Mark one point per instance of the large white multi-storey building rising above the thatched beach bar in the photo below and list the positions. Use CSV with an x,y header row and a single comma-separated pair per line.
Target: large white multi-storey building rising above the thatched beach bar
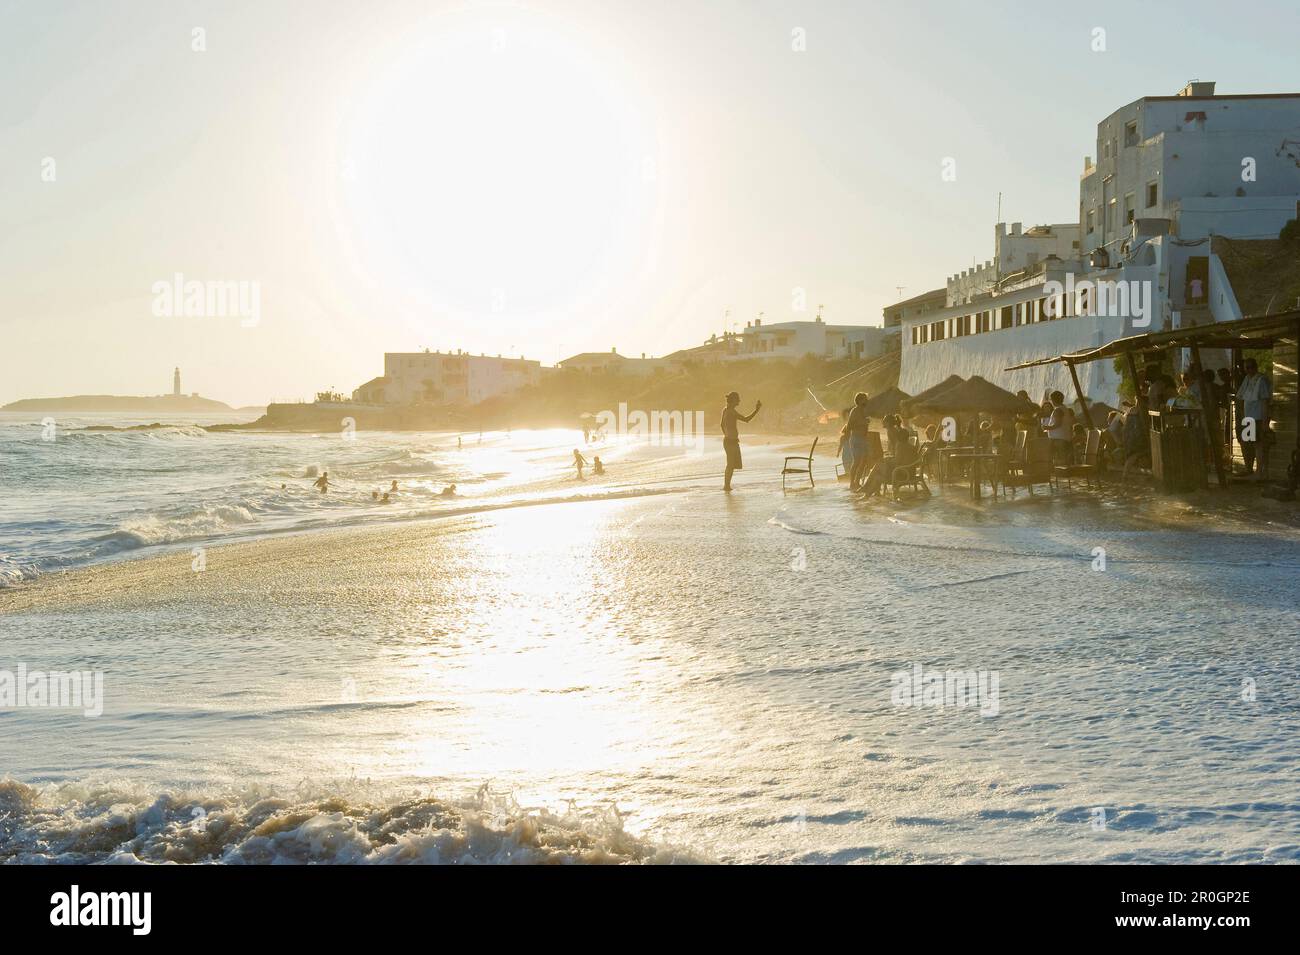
x,y
1145,220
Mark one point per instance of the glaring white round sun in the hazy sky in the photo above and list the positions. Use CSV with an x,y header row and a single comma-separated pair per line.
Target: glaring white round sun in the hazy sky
x,y
497,173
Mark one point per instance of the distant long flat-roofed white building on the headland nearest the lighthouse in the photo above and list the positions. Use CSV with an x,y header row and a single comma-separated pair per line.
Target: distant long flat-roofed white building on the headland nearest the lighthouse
x,y
447,379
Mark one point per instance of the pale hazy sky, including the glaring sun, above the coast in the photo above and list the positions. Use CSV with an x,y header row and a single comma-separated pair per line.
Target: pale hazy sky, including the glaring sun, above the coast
x,y
534,179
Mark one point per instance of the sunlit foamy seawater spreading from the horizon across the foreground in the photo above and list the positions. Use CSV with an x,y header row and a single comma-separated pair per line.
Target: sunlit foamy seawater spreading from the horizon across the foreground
x,y
630,668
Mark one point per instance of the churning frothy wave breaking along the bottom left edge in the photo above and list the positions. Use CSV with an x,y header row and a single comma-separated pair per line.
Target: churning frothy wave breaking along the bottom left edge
x,y
85,824
